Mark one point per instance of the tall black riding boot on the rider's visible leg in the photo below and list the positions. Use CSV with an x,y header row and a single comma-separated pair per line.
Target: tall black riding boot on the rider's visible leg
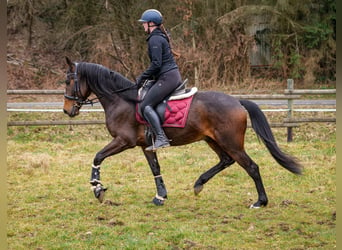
x,y
161,141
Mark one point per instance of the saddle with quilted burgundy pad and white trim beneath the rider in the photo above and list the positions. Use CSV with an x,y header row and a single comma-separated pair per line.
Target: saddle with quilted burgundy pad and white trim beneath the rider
x,y
179,100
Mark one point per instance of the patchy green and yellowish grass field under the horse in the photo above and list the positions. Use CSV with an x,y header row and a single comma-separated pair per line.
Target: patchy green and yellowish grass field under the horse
x,y
51,206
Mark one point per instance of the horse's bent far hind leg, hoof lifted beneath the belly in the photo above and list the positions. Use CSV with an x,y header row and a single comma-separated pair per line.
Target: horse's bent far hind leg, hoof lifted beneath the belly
x,y
225,161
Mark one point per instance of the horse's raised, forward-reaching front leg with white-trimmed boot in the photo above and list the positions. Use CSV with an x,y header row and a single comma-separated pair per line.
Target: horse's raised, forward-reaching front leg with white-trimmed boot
x,y
117,145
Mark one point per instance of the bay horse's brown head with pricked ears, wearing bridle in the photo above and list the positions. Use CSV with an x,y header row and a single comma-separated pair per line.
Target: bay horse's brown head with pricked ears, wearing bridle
x,y
76,90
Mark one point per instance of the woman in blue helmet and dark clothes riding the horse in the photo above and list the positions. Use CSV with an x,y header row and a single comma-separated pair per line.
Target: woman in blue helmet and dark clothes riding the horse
x,y
163,69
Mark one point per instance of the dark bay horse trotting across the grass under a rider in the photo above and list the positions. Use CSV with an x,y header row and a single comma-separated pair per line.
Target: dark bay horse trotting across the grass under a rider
x,y
217,118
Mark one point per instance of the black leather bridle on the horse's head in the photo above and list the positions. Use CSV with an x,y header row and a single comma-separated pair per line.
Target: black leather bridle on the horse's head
x,y
77,94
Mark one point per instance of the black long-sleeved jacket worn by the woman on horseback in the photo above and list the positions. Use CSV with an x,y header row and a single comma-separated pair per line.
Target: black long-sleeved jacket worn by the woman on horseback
x,y
160,55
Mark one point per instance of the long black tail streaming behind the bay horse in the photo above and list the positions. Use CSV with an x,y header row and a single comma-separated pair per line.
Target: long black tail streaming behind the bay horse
x,y
263,130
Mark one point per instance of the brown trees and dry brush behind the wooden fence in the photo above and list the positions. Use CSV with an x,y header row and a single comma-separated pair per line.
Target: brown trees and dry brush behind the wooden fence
x,y
211,35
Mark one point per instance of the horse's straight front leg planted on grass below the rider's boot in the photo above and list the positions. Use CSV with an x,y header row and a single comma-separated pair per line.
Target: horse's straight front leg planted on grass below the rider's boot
x,y
161,195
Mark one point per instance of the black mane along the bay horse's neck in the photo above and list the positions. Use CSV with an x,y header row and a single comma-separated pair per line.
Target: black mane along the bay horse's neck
x,y
105,82
